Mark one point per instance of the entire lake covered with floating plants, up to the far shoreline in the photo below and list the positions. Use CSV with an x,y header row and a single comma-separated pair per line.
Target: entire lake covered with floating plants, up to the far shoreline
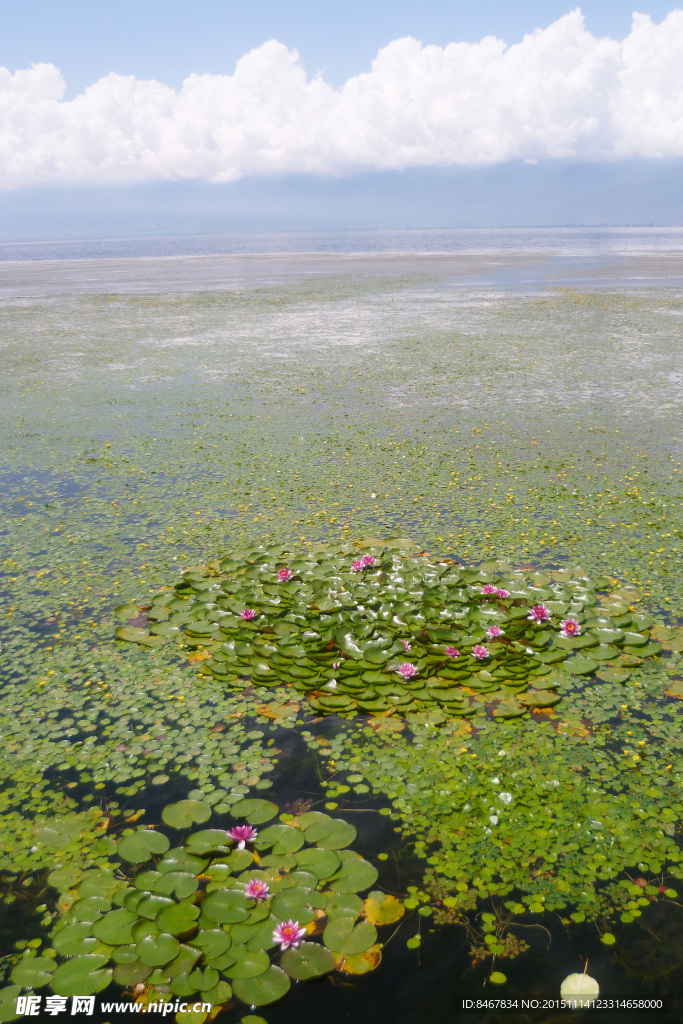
x,y
186,418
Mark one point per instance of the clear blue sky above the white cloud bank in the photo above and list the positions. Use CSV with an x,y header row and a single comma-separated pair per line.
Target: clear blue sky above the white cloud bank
x,y
170,39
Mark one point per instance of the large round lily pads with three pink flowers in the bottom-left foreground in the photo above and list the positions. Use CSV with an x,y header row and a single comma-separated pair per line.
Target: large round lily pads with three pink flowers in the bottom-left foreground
x,y
204,919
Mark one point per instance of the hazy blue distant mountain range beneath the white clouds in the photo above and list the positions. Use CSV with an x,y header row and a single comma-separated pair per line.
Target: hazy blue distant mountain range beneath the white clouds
x,y
551,194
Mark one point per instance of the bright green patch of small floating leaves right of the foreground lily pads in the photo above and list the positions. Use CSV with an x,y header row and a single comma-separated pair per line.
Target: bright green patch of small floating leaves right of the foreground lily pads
x,y
567,816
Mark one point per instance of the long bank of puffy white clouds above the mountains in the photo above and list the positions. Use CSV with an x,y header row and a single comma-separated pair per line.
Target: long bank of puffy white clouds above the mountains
x,y
560,94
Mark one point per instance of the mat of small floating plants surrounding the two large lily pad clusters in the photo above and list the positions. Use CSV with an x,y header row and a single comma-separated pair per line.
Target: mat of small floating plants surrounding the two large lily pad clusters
x,y
146,436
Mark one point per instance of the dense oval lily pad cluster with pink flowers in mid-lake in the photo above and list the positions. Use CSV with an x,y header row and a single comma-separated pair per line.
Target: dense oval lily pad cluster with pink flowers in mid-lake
x,y
380,627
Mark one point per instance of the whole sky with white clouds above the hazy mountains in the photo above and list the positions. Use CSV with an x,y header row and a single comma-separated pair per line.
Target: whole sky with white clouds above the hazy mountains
x,y
123,93
